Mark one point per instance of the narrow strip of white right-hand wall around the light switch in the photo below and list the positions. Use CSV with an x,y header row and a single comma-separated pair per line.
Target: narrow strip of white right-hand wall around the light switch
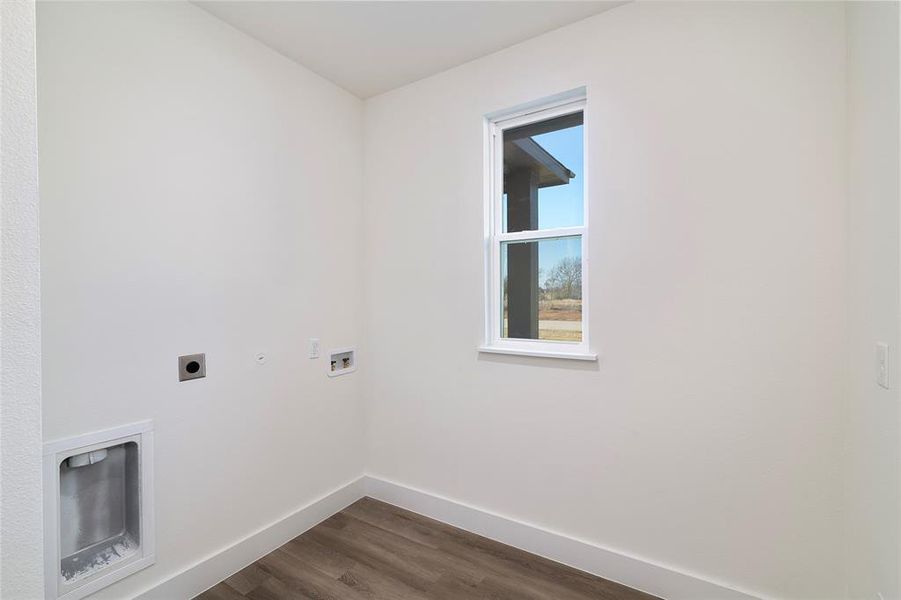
x,y
873,416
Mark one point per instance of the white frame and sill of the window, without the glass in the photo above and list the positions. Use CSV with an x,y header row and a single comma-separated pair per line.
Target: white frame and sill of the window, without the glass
x,y
495,236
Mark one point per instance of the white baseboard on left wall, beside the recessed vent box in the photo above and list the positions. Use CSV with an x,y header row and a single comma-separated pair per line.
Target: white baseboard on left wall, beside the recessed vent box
x,y
209,571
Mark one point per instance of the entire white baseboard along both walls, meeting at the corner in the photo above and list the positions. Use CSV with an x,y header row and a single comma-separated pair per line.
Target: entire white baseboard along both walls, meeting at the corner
x,y
629,570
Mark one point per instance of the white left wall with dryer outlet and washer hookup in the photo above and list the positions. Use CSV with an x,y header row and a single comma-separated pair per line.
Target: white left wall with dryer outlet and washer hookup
x,y
200,193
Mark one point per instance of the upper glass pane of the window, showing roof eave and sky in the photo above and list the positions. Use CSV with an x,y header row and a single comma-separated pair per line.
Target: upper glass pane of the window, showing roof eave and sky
x,y
543,175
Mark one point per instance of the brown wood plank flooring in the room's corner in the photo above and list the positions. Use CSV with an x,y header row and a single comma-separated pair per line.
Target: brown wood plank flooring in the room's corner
x,y
376,551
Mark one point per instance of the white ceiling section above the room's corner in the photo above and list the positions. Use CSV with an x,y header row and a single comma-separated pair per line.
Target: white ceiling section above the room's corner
x,y
374,46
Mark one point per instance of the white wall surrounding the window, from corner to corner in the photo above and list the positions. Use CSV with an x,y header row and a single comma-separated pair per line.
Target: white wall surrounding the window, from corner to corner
x,y
708,437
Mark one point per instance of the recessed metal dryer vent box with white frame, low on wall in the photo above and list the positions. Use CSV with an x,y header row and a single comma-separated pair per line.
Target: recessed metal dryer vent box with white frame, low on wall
x,y
98,509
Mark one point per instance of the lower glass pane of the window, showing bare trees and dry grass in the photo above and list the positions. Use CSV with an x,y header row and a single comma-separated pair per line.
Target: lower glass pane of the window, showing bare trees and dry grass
x,y
541,289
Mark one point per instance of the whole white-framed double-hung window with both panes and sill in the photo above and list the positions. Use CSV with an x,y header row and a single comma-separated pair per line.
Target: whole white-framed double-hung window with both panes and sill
x,y
536,233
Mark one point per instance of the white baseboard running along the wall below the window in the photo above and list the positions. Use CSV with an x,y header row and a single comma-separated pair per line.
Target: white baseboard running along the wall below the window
x,y
616,566
